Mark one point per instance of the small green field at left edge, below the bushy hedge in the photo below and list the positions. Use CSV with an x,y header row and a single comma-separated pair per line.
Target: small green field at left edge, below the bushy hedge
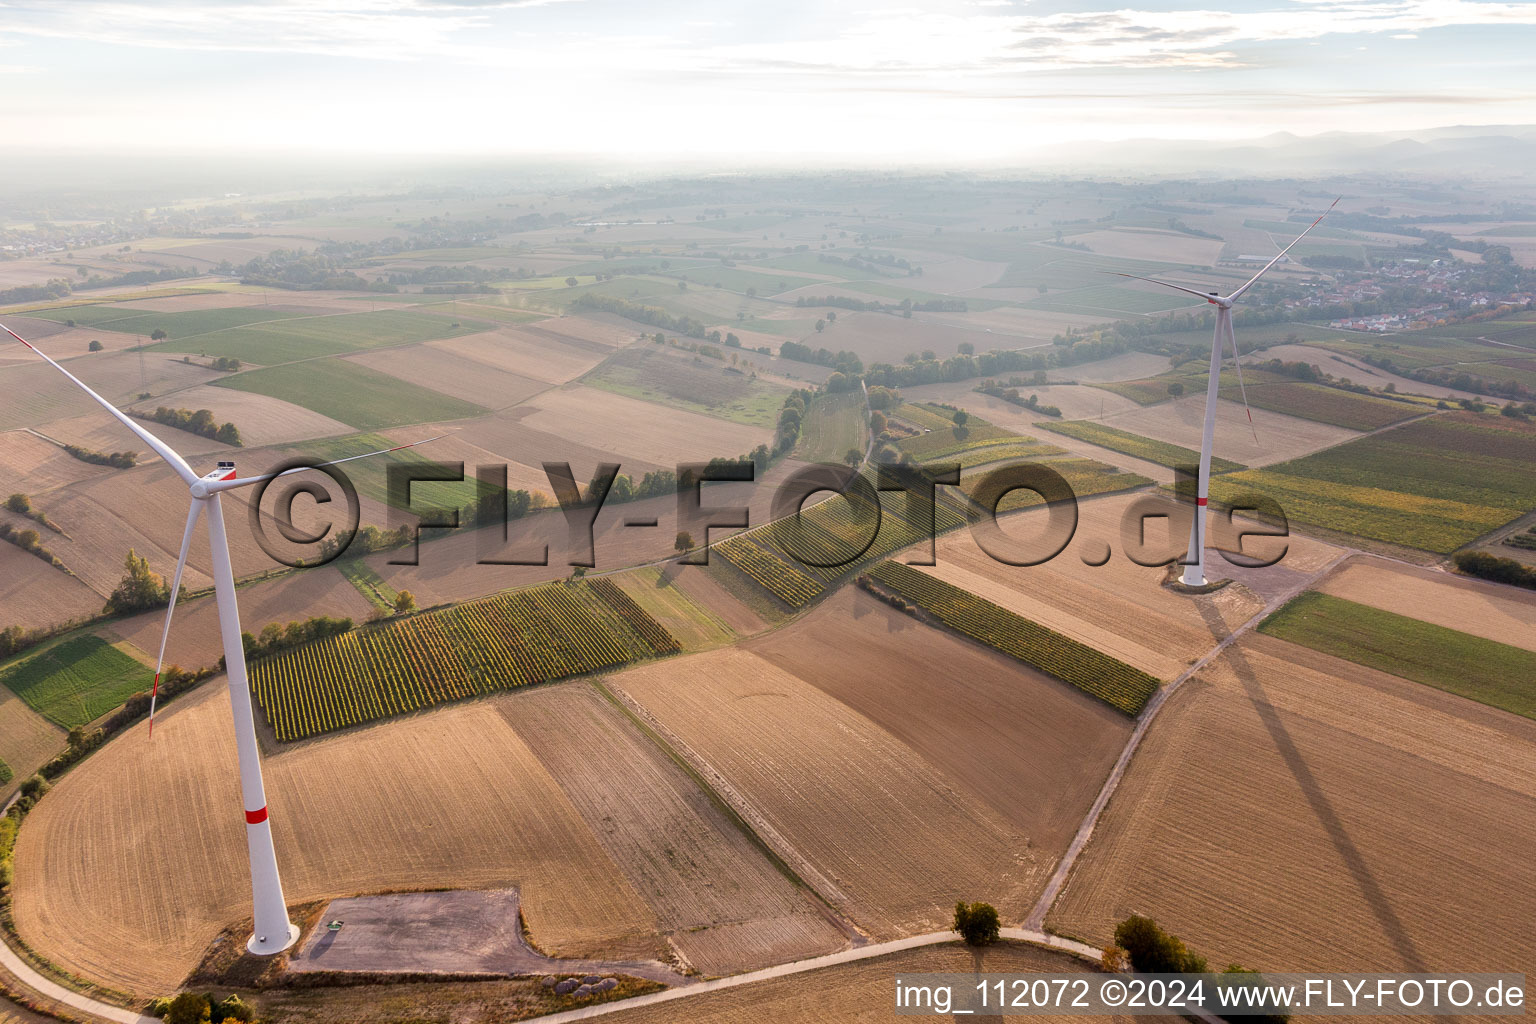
x,y
76,681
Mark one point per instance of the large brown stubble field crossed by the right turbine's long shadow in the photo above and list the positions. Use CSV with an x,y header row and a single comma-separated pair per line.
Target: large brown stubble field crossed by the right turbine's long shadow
x,y
1406,813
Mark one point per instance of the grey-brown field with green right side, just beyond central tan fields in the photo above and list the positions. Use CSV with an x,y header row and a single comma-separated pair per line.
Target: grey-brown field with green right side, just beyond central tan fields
x,y
694,383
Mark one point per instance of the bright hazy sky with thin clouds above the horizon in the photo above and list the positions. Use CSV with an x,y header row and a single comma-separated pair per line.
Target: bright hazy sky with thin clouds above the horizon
x,y
944,81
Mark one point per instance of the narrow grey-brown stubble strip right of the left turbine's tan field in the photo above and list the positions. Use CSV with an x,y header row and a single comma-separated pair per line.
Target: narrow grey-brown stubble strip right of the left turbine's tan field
x,y
717,897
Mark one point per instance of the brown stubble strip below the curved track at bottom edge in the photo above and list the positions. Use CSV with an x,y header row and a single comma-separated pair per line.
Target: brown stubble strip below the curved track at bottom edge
x,y
855,993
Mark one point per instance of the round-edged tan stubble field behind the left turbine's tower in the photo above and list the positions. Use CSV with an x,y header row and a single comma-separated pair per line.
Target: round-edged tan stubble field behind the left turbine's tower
x,y
449,801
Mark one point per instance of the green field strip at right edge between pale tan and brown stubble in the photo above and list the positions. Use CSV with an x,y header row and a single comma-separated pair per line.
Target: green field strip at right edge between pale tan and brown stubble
x,y
1457,662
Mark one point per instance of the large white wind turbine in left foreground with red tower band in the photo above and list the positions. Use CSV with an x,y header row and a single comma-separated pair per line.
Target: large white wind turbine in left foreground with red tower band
x,y
274,933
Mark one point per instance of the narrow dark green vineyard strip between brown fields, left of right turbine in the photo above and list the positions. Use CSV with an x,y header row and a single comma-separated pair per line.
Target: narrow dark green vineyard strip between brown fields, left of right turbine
x,y
1076,664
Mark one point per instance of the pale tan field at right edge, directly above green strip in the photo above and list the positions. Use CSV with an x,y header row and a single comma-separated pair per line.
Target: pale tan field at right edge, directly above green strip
x,y
1495,613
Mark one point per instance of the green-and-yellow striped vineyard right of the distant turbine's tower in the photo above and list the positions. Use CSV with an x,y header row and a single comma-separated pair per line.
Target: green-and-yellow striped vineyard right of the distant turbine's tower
x,y
1432,484
